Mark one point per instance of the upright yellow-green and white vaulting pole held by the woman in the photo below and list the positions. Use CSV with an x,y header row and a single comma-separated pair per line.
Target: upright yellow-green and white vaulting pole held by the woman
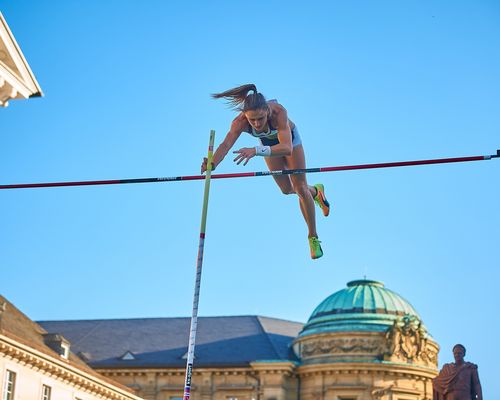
x,y
199,264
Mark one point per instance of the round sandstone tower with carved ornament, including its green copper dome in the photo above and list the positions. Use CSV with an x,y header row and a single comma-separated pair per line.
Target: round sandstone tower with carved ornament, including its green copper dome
x,y
365,342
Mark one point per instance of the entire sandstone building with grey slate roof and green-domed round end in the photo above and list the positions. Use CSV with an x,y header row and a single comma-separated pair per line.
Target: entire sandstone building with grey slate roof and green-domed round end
x,y
364,342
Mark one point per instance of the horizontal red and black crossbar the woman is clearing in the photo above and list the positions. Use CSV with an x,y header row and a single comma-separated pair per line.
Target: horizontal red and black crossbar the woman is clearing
x,y
250,174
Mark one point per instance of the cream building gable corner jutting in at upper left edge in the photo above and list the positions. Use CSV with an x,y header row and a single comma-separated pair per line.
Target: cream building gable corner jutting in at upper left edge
x,y
17,81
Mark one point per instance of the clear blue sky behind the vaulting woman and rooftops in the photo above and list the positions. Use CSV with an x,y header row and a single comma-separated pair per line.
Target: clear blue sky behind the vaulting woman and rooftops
x,y
127,87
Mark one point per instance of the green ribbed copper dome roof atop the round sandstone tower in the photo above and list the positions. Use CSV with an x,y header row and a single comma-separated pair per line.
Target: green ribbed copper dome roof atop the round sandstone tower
x,y
364,305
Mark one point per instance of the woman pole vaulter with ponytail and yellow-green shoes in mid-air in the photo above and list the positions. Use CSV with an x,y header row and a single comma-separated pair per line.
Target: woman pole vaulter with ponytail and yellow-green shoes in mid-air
x,y
281,148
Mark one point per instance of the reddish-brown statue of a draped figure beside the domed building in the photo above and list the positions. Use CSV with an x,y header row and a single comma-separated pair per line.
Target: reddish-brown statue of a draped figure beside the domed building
x,y
458,380
